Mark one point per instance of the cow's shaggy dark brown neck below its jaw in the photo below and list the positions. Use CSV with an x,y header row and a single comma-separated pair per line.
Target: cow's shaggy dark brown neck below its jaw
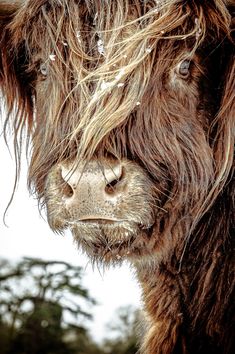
x,y
181,305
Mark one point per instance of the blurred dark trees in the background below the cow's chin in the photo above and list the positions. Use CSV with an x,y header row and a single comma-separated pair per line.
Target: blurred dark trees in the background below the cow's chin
x,y
44,309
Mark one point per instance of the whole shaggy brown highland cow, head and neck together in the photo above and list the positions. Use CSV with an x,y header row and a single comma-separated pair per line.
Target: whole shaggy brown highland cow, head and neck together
x,y
129,106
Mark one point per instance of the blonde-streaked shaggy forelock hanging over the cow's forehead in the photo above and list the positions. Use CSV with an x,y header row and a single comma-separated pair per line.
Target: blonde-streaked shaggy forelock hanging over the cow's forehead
x,y
110,47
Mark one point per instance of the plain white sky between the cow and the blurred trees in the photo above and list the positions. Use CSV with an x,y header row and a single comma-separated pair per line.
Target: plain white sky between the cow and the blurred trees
x,y
29,235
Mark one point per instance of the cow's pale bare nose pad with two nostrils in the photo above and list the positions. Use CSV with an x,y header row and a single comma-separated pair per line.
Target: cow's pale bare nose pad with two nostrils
x,y
92,181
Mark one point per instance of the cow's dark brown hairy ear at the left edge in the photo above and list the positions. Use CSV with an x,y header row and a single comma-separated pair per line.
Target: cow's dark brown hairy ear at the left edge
x,y
13,77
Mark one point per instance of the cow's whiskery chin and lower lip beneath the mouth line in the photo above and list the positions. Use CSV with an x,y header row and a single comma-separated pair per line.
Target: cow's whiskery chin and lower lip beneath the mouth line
x,y
111,242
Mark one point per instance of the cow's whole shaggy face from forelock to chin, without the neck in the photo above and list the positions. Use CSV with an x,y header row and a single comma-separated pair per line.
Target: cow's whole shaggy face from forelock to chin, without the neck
x,y
120,100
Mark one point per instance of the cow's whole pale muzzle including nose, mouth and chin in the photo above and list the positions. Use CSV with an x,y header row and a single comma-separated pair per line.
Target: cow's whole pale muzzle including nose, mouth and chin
x,y
108,205
